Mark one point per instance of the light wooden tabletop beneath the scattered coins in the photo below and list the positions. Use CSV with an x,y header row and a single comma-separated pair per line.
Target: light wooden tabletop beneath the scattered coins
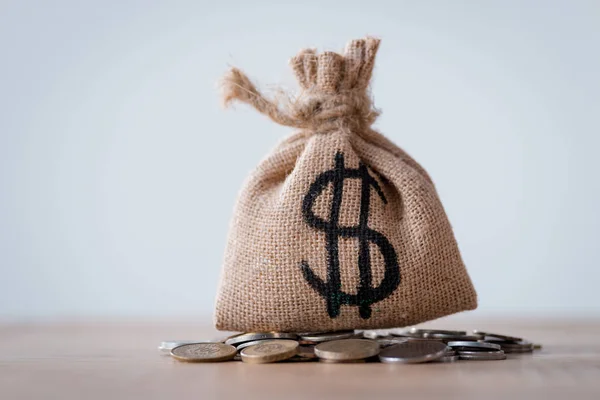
x,y
119,360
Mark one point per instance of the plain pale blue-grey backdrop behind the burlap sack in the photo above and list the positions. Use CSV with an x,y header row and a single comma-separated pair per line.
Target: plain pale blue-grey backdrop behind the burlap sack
x,y
119,169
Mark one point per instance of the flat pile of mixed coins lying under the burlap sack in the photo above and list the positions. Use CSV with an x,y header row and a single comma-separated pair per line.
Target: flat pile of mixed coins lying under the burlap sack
x,y
387,346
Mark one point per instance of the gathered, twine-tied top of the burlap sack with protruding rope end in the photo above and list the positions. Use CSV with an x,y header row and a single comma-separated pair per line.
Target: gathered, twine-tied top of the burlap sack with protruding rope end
x,y
335,94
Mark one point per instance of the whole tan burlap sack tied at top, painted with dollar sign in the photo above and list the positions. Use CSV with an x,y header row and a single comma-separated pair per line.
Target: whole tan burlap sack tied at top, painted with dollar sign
x,y
337,228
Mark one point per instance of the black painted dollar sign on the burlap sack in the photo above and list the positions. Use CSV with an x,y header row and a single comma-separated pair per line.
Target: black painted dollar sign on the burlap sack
x,y
331,290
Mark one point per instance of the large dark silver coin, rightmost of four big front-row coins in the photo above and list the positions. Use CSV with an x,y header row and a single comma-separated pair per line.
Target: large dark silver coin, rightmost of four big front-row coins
x,y
411,352
